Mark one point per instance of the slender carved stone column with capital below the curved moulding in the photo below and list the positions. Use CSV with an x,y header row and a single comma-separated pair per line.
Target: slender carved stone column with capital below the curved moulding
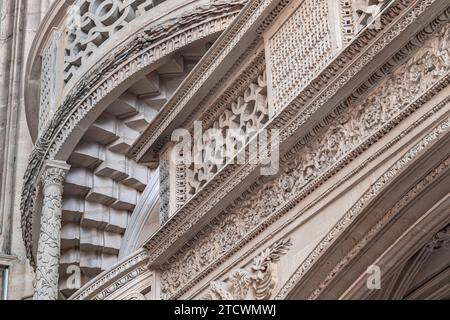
x,y
48,254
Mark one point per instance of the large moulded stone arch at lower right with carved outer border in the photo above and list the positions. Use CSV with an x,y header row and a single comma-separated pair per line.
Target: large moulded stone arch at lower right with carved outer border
x,y
393,219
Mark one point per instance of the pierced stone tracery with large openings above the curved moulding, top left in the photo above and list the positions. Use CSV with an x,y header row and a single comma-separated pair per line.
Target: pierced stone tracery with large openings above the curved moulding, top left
x,y
90,23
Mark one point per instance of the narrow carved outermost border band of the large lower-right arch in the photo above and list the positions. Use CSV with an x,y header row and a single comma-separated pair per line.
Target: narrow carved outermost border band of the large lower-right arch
x,y
421,147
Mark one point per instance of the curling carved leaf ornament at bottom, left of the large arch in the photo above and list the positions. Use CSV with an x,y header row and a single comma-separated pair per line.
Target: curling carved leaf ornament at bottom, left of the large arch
x,y
261,279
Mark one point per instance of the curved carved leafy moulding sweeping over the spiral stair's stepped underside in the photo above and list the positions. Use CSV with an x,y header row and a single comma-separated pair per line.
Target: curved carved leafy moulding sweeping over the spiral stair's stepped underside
x,y
137,53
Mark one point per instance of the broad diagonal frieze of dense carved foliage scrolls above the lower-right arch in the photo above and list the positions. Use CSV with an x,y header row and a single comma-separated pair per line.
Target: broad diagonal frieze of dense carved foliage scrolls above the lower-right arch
x,y
345,133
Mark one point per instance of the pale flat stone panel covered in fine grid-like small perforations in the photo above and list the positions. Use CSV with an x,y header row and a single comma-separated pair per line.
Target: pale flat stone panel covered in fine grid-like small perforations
x,y
299,50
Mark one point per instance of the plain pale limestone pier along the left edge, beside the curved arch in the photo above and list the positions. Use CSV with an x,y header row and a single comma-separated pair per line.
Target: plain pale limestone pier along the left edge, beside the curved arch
x,y
19,21
